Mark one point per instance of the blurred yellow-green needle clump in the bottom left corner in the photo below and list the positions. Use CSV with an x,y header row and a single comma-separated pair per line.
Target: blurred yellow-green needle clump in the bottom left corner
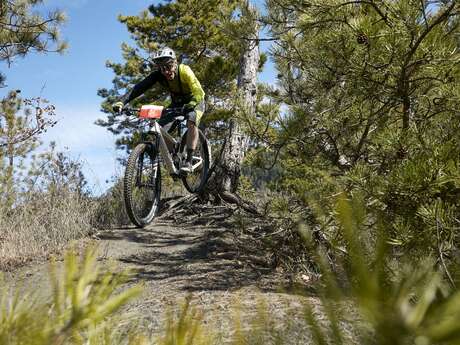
x,y
84,299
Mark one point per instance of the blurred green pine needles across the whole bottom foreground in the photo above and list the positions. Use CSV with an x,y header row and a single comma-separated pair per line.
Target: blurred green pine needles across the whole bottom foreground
x,y
376,298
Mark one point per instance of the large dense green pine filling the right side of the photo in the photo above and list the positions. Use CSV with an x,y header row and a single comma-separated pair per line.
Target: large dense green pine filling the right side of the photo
x,y
372,96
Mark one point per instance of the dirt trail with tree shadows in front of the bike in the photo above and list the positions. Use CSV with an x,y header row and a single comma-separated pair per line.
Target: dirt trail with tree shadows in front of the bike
x,y
174,260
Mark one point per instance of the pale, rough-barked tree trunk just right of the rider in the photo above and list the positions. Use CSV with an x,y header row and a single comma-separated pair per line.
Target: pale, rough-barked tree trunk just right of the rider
x,y
228,169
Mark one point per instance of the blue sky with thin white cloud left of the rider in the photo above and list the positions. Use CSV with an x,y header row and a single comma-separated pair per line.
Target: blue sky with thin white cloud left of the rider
x,y
70,81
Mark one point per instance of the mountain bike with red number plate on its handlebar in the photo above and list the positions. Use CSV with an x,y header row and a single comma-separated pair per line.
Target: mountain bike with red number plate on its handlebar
x,y
142,180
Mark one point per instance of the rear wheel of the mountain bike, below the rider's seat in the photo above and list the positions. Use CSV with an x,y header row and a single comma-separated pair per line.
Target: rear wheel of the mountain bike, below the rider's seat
x,y
196,180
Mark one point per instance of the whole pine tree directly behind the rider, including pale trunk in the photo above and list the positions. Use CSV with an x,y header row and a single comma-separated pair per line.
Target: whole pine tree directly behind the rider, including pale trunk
x,y
226,64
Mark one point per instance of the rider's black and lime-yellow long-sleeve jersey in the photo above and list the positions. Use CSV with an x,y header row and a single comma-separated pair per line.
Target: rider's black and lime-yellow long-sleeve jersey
x,y
185,88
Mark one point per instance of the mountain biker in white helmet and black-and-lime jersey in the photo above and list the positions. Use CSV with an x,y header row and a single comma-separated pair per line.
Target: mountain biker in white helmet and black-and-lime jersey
x,y
185,91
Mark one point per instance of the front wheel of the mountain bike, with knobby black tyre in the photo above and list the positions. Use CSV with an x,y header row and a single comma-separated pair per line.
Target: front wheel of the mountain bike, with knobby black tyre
x,y
142,184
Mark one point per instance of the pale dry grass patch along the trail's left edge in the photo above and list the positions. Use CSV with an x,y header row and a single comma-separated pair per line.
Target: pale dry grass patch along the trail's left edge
x,y
44,224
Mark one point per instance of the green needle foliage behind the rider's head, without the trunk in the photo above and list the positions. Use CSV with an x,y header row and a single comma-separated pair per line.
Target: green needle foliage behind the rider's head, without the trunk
x,y
195,30
